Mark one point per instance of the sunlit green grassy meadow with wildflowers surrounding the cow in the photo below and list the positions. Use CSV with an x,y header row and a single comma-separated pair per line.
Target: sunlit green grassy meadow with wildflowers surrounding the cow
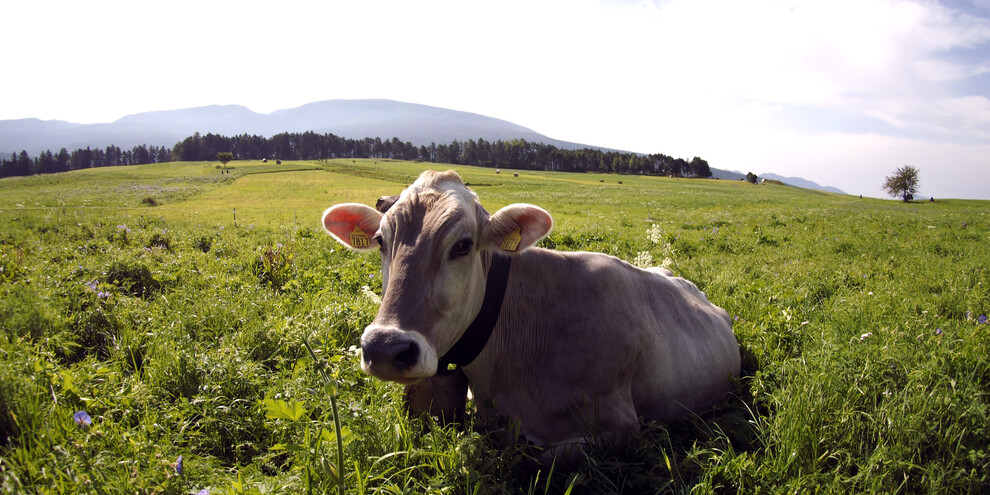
x,y
173,329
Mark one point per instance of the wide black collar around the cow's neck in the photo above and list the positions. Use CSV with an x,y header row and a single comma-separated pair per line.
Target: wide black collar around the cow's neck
x,y
467,348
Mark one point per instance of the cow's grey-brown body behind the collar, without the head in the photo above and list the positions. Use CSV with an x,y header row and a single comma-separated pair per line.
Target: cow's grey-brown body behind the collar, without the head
x,y
590,327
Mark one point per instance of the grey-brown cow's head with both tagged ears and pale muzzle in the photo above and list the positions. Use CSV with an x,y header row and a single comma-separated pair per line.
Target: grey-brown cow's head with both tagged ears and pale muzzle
x,y
436,243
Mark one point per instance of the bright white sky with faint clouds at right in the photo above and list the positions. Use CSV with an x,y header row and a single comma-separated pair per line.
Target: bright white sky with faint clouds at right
x,y
835,91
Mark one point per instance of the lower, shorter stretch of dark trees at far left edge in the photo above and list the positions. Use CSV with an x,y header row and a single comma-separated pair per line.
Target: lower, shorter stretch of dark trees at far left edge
x,y
46,162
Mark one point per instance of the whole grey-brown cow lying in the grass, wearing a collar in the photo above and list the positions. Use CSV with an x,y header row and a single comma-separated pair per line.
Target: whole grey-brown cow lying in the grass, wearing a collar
x,y
562,343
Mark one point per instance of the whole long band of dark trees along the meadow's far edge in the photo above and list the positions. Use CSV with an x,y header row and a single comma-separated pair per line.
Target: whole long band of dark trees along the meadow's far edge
x,y
509,154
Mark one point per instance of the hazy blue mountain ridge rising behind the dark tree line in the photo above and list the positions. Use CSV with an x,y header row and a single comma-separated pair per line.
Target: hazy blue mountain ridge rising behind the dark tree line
x,y
354,119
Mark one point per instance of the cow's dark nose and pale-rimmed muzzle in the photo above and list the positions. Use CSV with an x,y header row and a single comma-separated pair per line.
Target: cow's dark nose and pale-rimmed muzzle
x,y
397,355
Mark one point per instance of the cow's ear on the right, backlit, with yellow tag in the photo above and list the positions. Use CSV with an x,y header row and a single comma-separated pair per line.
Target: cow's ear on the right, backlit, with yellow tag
x,y
517,227
